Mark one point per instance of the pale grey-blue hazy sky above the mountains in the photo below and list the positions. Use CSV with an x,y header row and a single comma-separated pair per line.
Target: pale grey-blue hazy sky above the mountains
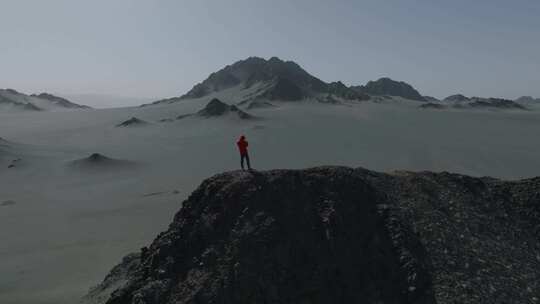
x,y
162,48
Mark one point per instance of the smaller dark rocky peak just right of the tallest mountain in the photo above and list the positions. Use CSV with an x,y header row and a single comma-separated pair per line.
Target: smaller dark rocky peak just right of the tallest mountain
x,y
387,86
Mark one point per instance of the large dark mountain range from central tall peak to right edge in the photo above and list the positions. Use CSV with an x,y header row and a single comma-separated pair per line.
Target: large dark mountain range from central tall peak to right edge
x,y
254,79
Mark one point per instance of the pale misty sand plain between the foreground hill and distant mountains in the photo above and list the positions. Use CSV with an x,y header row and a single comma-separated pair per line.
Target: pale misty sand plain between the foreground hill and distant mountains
x,y
68,227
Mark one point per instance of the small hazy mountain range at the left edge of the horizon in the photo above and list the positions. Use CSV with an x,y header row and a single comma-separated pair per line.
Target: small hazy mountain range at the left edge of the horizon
x,y
11,100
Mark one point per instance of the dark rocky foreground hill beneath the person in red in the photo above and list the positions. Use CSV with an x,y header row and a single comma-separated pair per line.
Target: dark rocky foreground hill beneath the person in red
x,y
341,235
